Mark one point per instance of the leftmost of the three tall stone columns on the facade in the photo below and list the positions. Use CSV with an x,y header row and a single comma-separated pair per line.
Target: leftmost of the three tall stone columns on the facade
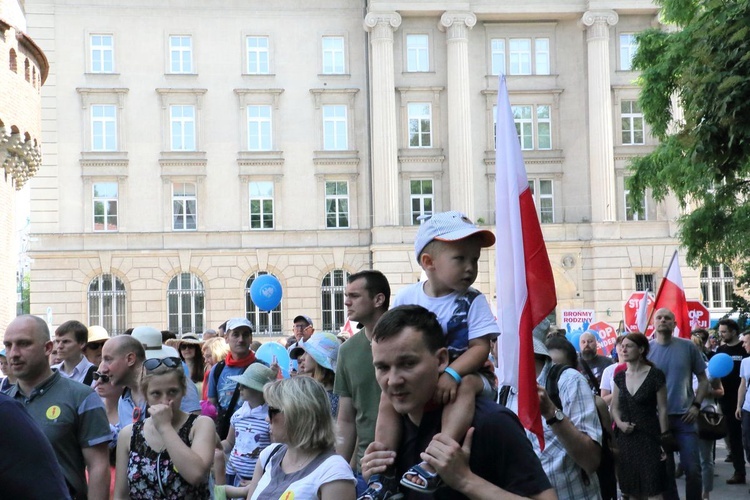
x,y
385,189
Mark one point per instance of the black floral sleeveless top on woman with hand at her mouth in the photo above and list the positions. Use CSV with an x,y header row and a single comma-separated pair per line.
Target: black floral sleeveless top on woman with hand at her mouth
x,y
152,475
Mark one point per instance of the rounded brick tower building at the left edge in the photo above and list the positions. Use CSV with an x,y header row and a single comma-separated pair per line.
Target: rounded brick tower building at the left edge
x,y
23,71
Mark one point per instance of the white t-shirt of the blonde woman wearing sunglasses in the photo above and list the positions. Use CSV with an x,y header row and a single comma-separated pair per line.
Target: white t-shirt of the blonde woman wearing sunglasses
x,y
302,484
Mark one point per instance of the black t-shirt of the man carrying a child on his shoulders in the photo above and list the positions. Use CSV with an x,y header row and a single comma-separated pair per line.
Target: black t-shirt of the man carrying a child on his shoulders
x,y
500,452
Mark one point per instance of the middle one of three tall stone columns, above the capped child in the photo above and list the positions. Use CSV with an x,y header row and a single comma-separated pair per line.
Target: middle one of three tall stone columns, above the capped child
x,y
456,26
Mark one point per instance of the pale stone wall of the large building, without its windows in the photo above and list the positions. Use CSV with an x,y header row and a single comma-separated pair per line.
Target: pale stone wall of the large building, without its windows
x,y
594,258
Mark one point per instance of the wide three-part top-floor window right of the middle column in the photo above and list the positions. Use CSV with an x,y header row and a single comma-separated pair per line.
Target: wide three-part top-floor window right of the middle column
x,y
520,56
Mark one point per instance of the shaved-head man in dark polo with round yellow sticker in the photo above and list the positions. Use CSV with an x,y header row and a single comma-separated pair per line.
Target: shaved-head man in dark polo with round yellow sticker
x,y
69,413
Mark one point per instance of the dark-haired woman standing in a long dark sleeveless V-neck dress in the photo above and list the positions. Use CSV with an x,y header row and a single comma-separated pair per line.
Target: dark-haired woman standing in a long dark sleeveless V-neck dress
x,y
639,408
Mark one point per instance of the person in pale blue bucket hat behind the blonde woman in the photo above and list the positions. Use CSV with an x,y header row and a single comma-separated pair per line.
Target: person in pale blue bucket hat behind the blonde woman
x,y
317,359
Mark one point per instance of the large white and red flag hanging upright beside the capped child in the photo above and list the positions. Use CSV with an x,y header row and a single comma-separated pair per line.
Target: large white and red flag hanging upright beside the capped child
x,y
525,285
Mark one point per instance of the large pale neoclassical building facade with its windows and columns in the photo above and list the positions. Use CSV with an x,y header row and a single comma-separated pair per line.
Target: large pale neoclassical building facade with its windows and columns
x,y
196,148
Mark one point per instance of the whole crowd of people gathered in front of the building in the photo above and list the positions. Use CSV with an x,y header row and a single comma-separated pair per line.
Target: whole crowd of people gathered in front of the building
x,y
408,407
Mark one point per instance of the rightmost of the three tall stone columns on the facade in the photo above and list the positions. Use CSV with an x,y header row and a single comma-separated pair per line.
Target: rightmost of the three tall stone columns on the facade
x,y
601,125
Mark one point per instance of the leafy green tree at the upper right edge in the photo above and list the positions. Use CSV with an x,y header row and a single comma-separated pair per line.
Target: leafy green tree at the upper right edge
x,y
701,62
